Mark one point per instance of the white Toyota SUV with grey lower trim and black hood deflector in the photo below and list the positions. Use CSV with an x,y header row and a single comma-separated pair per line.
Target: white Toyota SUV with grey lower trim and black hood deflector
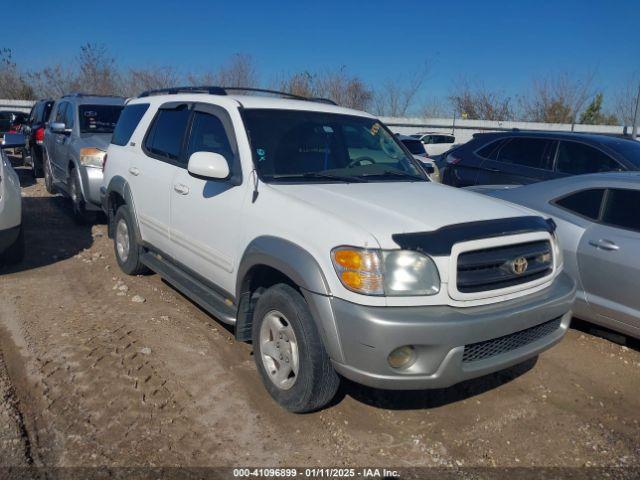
x,y
313,230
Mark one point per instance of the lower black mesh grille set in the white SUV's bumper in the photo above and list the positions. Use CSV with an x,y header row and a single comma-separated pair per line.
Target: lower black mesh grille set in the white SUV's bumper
x,y
496,346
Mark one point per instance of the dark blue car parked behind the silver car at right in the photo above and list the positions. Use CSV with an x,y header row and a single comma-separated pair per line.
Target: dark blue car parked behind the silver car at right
x,y
518,158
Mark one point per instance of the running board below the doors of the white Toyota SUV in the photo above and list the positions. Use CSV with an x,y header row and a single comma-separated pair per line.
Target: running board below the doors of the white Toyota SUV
x,y
204,296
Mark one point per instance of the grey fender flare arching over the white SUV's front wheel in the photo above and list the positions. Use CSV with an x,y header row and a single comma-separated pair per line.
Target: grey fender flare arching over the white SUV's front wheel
x,y
303,269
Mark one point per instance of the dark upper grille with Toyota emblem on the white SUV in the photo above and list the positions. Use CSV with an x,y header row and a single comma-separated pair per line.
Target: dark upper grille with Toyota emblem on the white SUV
x,y
493,268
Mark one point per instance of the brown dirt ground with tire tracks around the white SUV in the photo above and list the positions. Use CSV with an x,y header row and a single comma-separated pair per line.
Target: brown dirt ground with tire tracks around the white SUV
x,y
97,368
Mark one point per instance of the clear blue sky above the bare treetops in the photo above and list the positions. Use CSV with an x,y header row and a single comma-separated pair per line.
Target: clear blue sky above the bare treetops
x,y
500,44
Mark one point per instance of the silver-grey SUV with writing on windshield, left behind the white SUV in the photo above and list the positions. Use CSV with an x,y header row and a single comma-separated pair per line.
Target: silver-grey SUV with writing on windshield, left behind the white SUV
x,y
75,144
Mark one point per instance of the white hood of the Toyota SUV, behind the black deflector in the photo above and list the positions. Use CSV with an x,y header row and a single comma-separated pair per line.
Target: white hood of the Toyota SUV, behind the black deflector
x,y
386,208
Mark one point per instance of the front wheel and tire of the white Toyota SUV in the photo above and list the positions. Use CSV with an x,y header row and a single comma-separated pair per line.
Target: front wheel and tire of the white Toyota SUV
x,y
280,312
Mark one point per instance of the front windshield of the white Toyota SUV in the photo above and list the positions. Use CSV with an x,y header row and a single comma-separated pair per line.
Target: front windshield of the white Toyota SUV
x,y
295,146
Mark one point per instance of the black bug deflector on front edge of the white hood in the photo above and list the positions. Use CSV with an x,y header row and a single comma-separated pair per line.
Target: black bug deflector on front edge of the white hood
x,y
439,242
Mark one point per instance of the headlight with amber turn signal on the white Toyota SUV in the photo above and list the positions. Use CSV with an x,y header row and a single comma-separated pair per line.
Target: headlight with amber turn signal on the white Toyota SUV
x,y
386,272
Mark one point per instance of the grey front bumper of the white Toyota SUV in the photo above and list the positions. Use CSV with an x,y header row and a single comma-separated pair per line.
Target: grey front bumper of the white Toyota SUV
x,y
439,334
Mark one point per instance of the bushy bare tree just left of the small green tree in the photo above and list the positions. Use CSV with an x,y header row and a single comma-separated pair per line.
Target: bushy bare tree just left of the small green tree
x,y
558,99
